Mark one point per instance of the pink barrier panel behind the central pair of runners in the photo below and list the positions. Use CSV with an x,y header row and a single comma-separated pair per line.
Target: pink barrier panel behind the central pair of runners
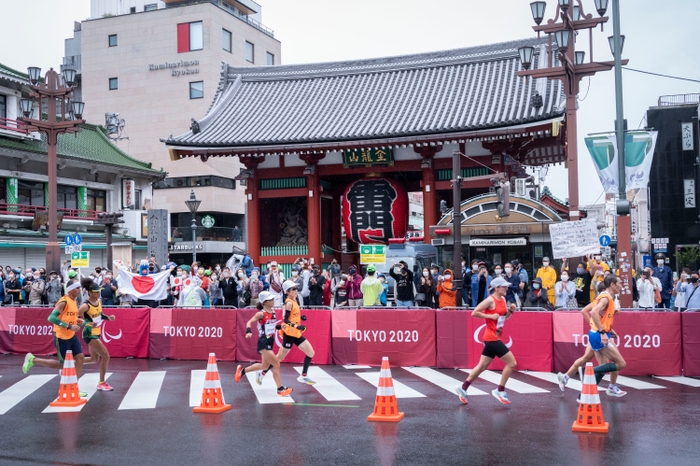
x,y
318,323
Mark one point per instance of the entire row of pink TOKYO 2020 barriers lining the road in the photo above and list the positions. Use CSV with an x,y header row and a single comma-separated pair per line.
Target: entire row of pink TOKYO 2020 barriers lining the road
x,y
652,343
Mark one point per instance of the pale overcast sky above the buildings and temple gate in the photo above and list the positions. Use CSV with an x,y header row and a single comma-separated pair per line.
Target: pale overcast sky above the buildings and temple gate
x,y
660,38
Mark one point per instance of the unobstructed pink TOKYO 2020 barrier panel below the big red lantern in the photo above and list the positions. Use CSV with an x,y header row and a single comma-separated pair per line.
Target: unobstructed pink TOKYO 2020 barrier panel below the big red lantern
x,y
364,336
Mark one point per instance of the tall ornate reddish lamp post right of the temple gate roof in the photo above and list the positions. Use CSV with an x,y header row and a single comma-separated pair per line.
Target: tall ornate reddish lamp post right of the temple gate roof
x,y
570,67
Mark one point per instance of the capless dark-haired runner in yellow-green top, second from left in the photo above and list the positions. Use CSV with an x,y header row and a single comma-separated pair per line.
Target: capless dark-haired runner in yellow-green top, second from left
x,y
91,311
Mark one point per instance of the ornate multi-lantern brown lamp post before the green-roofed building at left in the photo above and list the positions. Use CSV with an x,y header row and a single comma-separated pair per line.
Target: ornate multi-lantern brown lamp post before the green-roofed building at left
x,y
55,92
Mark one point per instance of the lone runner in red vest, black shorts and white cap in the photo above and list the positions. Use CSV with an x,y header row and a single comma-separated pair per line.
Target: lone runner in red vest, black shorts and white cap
x,y
496,311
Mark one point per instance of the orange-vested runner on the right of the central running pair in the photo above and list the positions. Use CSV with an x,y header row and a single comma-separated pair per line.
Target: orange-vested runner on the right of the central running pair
x,y
292,330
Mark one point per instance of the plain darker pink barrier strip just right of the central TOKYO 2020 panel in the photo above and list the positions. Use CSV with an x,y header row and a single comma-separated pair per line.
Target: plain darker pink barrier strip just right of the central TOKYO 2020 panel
x,y
452,337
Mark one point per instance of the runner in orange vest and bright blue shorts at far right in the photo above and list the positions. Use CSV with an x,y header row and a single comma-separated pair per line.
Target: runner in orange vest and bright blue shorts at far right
x,y
600,313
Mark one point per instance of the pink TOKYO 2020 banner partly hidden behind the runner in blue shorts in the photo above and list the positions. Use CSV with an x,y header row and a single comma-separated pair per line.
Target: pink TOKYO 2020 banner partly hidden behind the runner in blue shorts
x,y
650,342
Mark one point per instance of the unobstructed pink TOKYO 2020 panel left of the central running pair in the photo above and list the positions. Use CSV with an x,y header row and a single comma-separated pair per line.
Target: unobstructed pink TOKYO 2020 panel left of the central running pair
x,y
181,333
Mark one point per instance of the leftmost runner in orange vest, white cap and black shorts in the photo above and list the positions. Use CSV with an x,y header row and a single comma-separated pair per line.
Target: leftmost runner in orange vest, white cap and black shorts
x,y
66,322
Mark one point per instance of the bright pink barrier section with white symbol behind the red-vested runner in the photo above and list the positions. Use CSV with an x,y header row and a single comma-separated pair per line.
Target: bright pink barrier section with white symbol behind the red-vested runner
x,y
527,334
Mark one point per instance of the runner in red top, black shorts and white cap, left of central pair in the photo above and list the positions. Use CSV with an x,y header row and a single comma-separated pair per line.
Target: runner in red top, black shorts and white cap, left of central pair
x,y
266,321
